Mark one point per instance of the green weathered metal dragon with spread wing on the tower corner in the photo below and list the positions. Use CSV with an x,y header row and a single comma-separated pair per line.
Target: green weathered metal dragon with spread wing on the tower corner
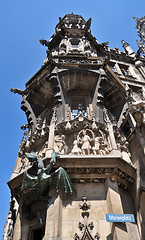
x,y
34,184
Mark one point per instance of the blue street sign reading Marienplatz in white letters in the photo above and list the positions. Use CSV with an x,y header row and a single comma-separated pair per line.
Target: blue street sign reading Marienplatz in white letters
x,y
120,218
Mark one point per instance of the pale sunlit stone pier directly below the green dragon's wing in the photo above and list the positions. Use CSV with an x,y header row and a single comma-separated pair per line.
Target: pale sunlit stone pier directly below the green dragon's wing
x,y
54,220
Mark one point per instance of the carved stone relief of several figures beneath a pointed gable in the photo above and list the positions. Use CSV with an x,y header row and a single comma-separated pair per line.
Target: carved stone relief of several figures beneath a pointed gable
x,y
81,137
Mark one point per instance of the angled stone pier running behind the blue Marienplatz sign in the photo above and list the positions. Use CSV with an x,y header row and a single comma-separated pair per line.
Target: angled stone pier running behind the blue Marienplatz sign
x,y
114,204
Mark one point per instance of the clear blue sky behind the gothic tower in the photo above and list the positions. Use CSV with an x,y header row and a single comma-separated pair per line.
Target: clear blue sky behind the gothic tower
x,y
22,24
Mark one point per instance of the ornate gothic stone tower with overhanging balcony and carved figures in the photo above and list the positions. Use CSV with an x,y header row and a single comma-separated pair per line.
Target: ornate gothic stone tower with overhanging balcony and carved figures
x,y
82,154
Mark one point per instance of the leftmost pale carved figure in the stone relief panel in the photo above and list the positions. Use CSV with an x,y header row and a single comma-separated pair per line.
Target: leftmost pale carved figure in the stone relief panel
x,y
60,145
